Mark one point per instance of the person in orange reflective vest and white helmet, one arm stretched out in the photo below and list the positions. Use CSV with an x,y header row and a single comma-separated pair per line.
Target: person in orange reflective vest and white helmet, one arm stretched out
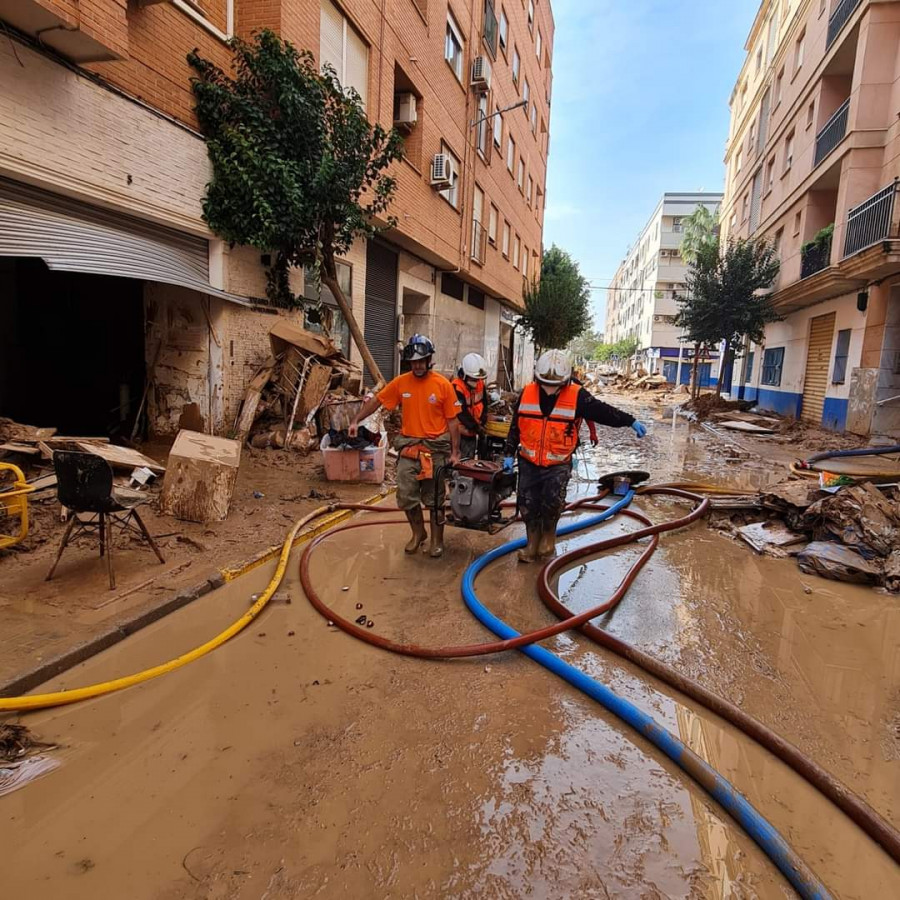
x,y
544,431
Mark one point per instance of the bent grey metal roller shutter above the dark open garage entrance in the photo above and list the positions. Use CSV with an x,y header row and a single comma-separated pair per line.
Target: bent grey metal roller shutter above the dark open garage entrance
x,y
71,236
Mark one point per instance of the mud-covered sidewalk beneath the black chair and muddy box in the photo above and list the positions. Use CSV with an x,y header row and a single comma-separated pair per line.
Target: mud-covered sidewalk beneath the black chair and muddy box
x,y
47,627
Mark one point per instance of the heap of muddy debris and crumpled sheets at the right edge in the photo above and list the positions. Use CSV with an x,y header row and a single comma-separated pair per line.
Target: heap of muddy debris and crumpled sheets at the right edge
x,y
851,533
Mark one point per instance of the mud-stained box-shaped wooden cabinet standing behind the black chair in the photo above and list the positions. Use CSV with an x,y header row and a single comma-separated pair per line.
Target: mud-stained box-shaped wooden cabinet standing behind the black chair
x,y
202,471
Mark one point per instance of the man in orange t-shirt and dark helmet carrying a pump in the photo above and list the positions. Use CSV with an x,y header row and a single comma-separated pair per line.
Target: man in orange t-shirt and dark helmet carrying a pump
x,y
428,442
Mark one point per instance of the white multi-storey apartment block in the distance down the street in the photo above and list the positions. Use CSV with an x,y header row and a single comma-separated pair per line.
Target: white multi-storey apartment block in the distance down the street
x,y
641,299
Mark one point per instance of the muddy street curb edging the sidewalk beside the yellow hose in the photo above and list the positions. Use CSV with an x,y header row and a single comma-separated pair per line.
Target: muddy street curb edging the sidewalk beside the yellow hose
x,y
70,658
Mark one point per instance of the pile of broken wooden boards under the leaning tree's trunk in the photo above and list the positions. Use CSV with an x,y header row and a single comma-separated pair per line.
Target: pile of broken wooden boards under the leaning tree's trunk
x,y
304,388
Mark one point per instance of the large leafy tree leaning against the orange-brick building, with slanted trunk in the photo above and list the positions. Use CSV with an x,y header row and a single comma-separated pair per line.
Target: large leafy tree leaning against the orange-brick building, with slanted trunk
x,y
298,170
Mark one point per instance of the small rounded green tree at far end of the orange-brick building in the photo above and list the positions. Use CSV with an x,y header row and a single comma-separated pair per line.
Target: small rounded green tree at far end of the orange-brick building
x,y
557,307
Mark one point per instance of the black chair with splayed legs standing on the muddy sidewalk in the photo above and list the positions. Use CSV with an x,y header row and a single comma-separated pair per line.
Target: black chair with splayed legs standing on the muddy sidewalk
x,y
85,487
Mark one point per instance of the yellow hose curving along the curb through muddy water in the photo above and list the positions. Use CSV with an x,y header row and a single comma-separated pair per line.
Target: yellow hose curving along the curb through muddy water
x,y
60,698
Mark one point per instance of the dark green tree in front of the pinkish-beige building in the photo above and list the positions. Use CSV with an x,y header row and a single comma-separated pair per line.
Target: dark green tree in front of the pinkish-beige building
x,y
726,299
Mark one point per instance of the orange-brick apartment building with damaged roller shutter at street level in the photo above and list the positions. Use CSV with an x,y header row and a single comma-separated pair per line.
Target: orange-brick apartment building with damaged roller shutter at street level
x,y
110,276
